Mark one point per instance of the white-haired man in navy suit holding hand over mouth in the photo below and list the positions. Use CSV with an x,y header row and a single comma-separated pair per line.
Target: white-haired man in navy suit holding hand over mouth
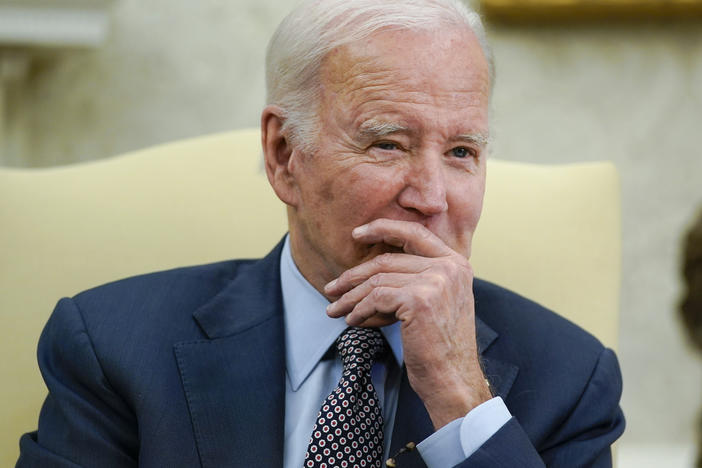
x,y
364,331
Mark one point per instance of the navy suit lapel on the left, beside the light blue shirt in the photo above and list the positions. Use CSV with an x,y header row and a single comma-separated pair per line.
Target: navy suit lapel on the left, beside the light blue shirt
x,y
234,381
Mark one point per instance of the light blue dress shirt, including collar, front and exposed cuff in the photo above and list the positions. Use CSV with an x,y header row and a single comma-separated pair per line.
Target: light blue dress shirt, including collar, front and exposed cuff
x,y
309,333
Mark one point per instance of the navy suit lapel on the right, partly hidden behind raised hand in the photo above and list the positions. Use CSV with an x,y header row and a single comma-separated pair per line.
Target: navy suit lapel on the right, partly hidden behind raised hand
x,y
412,421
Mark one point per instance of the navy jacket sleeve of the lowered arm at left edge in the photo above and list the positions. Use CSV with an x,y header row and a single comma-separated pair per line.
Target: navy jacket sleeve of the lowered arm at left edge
x,y
83,422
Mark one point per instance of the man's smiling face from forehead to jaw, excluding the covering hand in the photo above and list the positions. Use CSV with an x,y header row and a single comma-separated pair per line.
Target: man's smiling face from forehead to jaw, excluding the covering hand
x,y
403,124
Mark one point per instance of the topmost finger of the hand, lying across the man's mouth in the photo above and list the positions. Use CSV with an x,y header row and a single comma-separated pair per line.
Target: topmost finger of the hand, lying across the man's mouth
x,y
412,237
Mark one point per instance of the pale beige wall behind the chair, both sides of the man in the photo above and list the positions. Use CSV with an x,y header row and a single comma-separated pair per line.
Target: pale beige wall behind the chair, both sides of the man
x,y
632,94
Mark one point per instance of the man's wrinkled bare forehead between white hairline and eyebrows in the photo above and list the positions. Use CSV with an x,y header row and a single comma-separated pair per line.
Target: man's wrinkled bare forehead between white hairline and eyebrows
x,y
442,72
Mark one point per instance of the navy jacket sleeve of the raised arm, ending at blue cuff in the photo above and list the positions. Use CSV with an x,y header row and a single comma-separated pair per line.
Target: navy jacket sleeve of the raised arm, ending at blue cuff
x,y
582,439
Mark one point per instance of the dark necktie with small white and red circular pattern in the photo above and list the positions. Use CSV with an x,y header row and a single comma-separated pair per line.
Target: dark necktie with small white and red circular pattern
x,y
349,427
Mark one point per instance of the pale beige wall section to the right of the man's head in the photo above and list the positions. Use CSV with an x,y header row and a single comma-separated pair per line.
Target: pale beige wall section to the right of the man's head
x,y
632,95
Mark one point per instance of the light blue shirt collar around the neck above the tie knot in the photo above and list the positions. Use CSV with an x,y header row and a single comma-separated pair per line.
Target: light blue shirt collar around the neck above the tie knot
x,y
309,332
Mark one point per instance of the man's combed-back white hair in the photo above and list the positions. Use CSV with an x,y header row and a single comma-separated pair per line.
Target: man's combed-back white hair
x,y
302,40
